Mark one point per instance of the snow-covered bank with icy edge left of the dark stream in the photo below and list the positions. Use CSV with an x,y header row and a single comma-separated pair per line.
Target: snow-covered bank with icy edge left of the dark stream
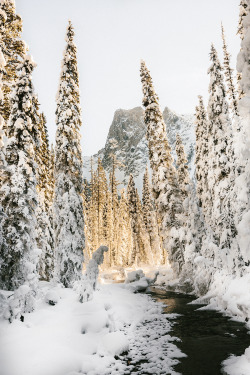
x,y
70,338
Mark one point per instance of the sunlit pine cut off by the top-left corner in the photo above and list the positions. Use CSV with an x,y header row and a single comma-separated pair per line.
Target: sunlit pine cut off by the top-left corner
x,y
13,49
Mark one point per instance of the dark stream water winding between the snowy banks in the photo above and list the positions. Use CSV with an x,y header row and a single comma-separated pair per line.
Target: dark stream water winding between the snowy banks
x,y
207,337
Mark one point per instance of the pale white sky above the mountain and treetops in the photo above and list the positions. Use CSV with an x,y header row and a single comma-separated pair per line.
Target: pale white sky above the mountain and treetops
x,y
112,36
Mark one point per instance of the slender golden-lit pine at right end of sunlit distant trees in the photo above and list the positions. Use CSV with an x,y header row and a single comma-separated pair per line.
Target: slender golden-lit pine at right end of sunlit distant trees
x,y
150,220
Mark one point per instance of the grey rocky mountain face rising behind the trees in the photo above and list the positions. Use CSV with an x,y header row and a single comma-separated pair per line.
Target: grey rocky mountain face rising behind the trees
x,y
127,140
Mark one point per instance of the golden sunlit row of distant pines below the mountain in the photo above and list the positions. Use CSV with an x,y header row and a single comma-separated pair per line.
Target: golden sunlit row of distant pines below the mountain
x,y
126,225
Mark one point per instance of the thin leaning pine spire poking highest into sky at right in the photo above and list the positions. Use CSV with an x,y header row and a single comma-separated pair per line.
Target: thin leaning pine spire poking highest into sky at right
x,y
229,76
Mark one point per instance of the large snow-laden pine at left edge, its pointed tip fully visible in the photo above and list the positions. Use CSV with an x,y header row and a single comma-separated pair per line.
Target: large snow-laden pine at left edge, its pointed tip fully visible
x,y
19,196
